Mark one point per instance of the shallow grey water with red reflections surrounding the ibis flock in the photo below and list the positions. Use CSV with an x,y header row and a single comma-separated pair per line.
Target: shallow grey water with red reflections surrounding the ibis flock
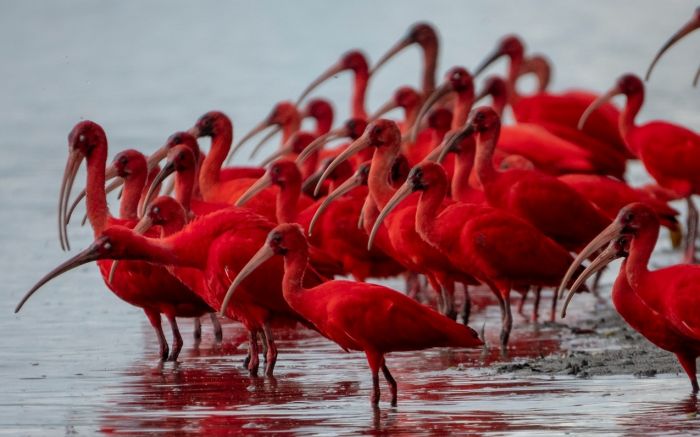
x,y
77,360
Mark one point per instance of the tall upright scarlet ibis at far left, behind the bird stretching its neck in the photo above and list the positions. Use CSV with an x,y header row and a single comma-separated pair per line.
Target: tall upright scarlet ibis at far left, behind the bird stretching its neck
x,y
144,285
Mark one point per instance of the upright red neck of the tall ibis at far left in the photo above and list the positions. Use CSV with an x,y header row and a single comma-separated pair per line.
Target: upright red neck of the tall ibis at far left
x,y
96,198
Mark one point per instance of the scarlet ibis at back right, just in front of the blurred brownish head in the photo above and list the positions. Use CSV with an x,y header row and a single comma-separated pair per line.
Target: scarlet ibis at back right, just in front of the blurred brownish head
x,y
549,109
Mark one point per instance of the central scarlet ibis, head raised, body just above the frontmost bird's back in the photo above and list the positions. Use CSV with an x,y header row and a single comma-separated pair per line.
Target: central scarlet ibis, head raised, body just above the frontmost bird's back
x,y
415,254
